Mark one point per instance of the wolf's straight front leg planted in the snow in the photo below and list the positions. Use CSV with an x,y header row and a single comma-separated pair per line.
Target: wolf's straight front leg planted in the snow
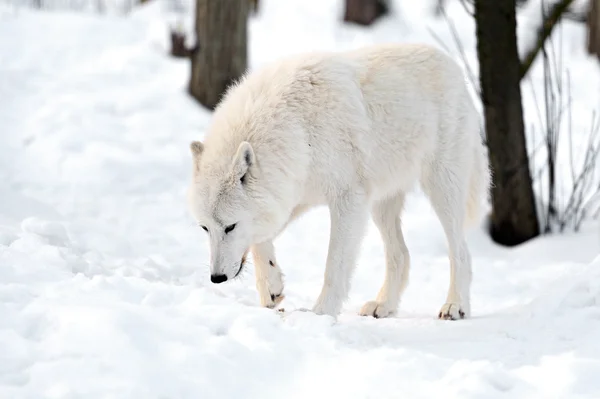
x,y
349,215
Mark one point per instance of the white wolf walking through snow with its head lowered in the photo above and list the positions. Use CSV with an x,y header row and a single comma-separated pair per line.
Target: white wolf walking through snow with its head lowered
x,y
353,131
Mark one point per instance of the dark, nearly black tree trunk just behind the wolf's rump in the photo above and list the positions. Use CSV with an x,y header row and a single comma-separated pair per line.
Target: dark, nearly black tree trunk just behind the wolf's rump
x,y
514,219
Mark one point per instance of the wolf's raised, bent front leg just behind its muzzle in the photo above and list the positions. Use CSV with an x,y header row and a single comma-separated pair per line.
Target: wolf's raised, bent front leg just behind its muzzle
x,y
269,279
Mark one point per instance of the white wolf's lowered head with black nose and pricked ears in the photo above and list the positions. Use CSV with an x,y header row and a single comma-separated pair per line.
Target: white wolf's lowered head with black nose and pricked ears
x,y
228,202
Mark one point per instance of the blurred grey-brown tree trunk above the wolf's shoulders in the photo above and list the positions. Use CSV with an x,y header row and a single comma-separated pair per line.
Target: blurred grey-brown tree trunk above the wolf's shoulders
x,y
221,34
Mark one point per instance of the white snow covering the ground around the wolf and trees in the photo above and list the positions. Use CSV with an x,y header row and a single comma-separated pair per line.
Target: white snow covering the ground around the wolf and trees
x,y
104,289
